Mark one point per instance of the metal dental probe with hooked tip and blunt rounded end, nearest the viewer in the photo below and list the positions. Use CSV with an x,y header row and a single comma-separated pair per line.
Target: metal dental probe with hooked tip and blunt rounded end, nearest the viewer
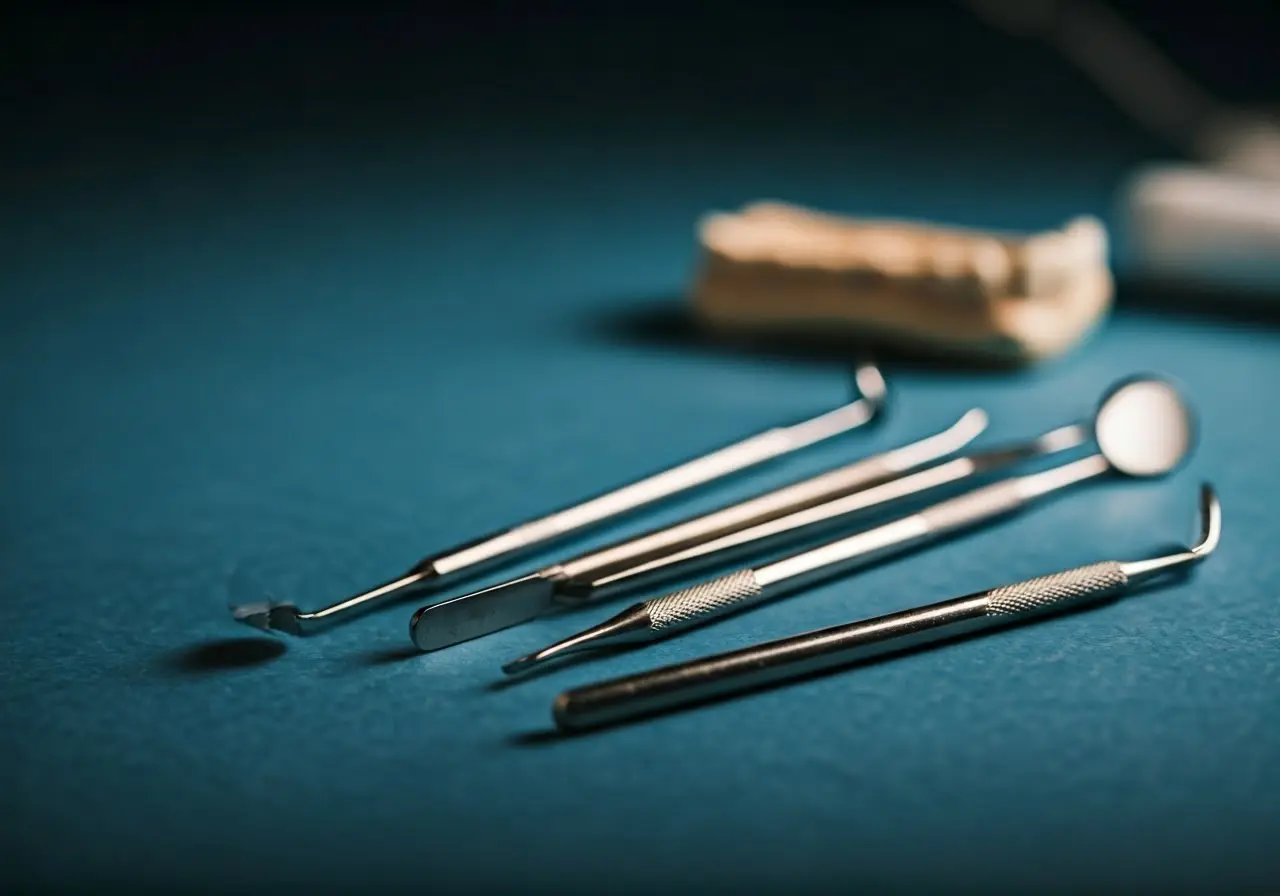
x,y
790,659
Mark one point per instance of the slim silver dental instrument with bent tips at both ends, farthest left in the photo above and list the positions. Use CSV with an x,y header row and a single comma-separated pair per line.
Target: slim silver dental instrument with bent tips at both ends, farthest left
x,y
477,556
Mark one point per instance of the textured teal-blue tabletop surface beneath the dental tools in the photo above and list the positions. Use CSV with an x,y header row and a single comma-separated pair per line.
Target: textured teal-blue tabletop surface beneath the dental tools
x,y
298,369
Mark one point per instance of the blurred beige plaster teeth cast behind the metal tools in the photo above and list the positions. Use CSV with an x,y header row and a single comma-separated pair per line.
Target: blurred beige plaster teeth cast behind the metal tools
x,y
774,268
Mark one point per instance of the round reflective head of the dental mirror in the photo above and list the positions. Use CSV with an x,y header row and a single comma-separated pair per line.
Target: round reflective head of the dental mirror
x,y
1145,428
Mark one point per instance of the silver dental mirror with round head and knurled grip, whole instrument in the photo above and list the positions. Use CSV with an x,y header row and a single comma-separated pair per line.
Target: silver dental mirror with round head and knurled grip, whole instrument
x,y
1142,429
